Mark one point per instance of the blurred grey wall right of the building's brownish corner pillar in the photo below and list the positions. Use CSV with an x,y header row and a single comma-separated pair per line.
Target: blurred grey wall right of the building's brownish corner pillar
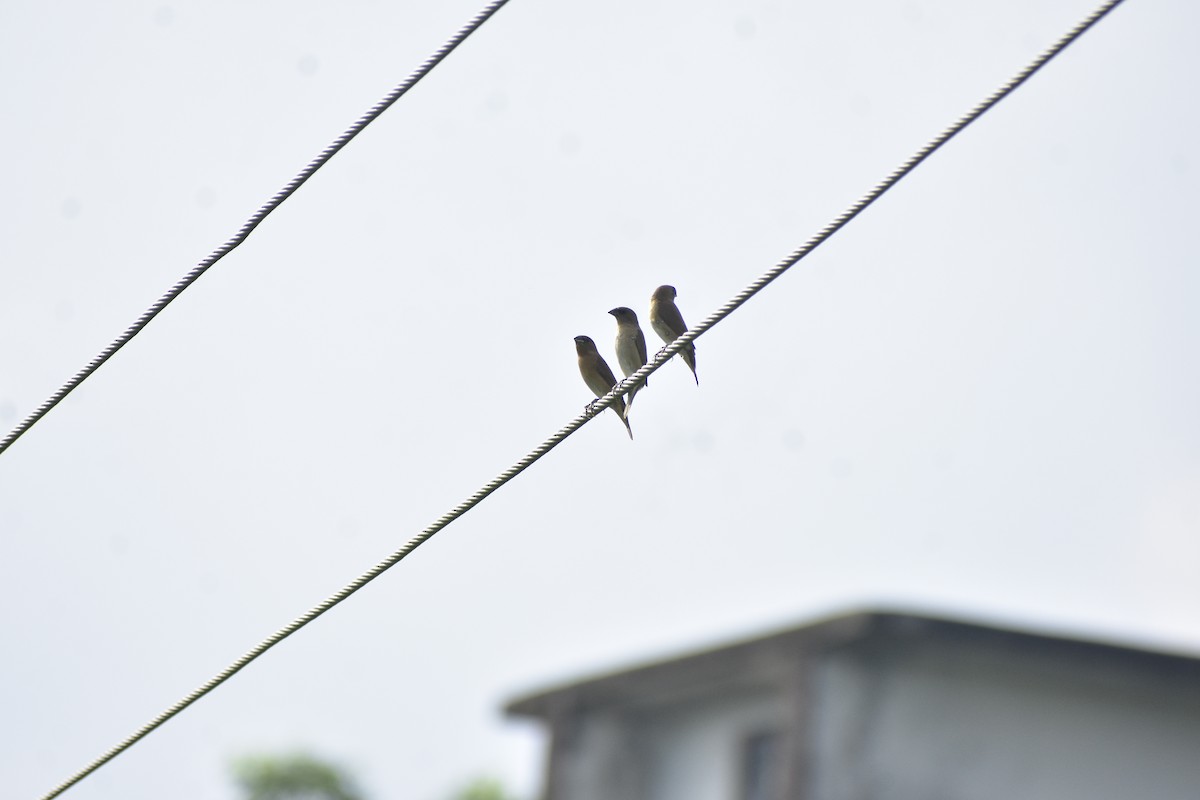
x,y
968,724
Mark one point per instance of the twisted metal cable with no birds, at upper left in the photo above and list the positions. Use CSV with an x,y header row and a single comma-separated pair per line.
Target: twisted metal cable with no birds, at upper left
x,y
254,222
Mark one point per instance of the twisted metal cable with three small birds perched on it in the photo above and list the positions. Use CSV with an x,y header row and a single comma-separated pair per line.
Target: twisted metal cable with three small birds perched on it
x,y
662,358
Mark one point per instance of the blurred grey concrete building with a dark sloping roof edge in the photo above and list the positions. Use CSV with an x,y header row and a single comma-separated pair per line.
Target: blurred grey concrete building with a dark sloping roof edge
x,y
881,707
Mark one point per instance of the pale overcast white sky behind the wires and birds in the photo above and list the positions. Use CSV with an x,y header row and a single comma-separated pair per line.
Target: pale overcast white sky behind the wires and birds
x,y
980,399
